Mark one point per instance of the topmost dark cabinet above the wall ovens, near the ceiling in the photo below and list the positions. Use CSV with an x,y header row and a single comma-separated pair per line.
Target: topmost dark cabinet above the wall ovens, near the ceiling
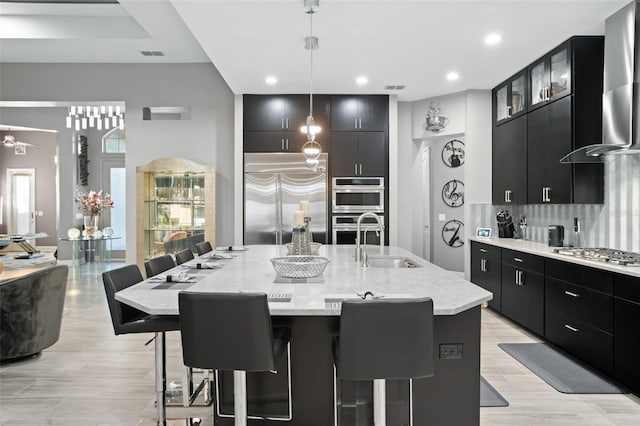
x,y
360,113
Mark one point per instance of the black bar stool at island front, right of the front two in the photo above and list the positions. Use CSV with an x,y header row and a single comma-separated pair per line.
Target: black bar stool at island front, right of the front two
x,y
385,339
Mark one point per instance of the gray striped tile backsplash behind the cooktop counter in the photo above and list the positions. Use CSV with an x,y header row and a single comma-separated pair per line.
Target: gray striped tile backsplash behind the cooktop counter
x,y
614,224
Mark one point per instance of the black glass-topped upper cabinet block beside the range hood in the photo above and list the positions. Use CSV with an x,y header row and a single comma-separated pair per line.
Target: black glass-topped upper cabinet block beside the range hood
x,y
561,111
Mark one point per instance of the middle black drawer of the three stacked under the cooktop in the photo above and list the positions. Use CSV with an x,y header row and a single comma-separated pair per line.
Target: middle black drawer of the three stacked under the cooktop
x,y
591,307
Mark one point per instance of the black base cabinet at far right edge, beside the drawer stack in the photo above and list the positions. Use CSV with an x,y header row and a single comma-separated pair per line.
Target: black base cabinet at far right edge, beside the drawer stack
x,y
626,336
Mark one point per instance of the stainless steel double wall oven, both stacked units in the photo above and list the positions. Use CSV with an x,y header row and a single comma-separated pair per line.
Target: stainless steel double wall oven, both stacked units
x,y
352,196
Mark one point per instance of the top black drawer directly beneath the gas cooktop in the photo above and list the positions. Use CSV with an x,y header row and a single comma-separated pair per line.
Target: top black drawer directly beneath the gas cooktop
x,y
595,279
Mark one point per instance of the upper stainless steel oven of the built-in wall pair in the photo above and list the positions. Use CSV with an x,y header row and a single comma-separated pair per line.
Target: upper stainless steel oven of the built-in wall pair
x,y
357,194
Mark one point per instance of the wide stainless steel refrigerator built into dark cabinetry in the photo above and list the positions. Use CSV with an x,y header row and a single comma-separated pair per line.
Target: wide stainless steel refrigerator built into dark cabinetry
x,y
274,185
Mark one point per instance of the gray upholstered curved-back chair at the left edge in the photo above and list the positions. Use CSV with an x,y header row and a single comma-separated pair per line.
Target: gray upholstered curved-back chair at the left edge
x,y
31,312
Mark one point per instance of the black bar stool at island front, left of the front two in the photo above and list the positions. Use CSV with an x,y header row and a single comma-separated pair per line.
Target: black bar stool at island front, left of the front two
x,y
231,331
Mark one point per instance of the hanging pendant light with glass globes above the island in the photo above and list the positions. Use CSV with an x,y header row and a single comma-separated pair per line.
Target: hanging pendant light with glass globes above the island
x,y
311,148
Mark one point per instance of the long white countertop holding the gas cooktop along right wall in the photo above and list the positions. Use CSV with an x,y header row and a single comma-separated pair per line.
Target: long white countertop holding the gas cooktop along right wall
x,y
542,249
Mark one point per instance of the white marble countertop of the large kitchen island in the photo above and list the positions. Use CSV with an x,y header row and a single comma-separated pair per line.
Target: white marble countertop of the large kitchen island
x,y
251,271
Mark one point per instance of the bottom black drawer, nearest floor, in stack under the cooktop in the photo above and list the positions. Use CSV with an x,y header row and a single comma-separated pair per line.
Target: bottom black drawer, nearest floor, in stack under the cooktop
x,y
591,345
